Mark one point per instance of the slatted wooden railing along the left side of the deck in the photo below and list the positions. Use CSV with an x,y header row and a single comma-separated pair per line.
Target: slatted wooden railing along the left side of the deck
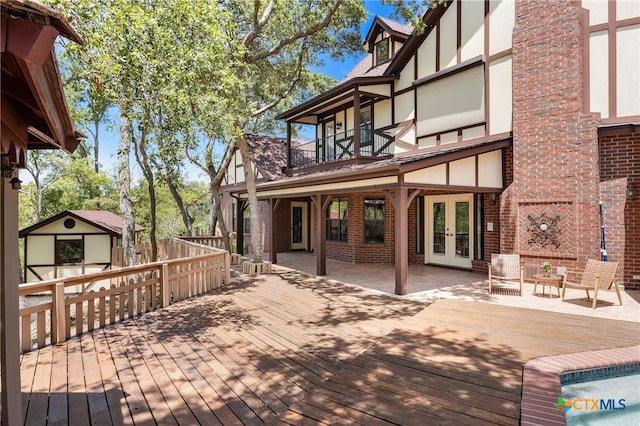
x,y
124,293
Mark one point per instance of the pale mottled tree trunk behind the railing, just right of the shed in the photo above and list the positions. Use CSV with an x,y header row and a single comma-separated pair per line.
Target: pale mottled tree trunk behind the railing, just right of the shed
x,y
124,184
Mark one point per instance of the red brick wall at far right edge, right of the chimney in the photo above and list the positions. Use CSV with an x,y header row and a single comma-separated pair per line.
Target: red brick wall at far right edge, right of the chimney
x,y
620,167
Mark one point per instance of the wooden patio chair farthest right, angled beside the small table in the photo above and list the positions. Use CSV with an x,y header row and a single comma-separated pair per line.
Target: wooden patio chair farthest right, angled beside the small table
x,y
597,275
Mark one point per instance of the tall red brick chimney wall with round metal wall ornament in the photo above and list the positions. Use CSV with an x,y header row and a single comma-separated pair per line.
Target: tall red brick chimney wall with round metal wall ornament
x,y
555,147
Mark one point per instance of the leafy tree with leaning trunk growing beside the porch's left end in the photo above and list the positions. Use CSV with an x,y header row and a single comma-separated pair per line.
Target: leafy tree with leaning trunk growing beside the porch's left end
x,y
274,43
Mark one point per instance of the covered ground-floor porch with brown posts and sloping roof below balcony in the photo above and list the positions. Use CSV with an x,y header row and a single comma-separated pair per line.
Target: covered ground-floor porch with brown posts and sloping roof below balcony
x,y
427,183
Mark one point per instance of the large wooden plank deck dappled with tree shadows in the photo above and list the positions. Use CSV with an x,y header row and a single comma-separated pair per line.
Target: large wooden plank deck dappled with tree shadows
x,y
289,349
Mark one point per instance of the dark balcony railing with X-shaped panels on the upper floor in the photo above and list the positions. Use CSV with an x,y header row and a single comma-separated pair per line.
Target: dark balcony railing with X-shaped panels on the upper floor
x,y
340,147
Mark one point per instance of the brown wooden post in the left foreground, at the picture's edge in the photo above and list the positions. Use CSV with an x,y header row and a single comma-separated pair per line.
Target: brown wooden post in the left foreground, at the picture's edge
x,y
9,337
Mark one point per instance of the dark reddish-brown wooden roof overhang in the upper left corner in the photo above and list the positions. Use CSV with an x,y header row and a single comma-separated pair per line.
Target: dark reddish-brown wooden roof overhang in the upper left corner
x,y
34,109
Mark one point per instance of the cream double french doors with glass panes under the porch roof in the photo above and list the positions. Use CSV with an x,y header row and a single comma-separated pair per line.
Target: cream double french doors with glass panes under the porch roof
x,y
449,230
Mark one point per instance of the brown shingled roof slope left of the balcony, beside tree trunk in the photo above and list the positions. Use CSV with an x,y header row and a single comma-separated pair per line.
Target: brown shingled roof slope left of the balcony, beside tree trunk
x,y
269,154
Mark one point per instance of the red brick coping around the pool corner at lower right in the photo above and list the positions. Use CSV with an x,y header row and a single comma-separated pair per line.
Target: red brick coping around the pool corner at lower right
x,y
541,380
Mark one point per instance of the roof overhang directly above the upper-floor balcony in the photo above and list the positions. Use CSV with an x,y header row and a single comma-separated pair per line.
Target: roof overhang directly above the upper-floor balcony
x,y
367,88
